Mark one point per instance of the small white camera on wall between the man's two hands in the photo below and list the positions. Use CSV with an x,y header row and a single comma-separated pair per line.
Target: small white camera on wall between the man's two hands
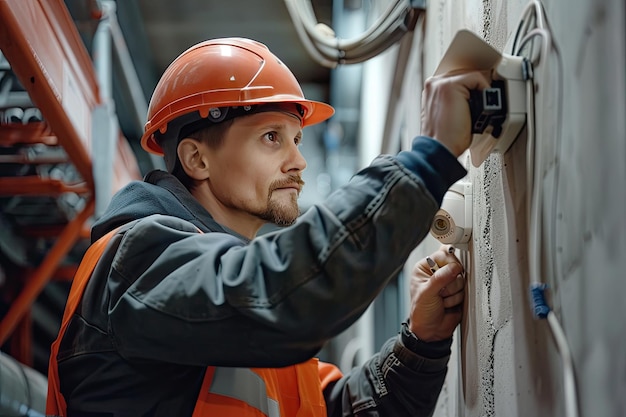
x,y
453,221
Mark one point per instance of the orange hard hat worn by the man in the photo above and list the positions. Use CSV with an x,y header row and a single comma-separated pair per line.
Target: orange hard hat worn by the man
x,y
226,72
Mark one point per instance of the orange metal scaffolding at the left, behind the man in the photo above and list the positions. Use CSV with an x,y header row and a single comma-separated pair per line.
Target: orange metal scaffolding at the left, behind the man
x,y
42,44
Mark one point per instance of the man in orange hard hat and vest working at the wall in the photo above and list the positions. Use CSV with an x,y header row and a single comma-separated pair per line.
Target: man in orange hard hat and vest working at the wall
x,y
188,312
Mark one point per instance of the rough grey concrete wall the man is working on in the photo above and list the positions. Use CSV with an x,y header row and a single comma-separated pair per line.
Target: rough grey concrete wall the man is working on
x,y
574,240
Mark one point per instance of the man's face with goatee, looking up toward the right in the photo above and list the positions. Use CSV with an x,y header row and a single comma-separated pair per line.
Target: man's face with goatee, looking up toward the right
x,y
257,169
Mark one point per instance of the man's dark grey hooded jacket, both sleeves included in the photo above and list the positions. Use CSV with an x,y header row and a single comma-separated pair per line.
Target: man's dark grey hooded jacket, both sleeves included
x,y
166,301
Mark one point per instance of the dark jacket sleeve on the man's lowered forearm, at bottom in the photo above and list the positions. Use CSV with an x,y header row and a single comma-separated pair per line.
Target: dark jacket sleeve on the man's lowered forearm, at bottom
x,y
396,382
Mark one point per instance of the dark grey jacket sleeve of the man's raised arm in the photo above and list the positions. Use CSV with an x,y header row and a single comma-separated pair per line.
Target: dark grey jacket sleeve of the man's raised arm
x,y
211,299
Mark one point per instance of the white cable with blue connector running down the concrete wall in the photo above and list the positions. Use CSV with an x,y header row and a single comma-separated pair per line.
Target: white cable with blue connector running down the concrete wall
x,y
534,166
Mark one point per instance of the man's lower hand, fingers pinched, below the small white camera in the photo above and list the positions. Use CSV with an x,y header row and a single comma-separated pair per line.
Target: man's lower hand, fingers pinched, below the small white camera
x,y
436,298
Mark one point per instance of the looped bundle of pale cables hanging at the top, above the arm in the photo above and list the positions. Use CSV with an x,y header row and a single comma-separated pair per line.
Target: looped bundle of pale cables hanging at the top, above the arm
x,y
321,43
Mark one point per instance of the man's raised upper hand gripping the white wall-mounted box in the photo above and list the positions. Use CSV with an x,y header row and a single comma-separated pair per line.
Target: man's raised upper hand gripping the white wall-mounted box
x,y
445,107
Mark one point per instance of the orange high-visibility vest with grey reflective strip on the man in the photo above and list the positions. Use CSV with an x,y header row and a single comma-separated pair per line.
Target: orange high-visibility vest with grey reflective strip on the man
x,y
292,391
